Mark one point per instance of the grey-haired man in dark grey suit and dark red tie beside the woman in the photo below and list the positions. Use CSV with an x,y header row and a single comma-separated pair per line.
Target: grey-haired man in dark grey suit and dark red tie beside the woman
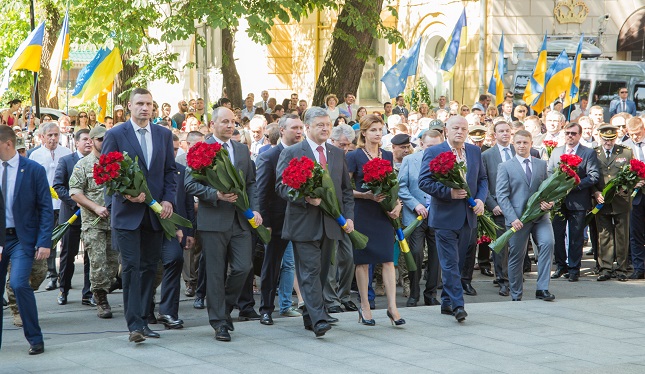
x,y
313,233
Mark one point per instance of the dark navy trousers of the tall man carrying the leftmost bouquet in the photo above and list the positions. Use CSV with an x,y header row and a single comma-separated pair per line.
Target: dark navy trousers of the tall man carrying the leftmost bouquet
x,y
140,253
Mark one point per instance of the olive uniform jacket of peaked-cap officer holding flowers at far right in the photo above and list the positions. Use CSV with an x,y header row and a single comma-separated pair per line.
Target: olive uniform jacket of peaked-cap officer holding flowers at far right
x,y
620,156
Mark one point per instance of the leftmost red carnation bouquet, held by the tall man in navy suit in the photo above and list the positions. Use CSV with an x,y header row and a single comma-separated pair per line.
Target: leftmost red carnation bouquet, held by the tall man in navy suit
x,y
119,173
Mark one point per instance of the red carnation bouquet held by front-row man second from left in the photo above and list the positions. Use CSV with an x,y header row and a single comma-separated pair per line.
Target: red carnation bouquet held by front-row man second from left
x,y
211,164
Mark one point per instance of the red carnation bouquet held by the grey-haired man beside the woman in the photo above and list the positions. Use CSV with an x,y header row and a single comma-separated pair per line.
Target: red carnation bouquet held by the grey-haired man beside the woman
x,y
307,178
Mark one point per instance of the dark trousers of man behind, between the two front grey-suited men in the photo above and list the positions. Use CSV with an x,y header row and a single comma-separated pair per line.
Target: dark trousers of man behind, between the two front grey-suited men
x,y
271,272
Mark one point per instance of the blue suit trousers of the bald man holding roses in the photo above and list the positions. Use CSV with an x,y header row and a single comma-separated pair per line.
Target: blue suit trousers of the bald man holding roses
x,y
452,246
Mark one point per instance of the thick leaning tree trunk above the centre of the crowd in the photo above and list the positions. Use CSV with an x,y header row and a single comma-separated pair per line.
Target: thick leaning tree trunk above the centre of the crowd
x,y
342,69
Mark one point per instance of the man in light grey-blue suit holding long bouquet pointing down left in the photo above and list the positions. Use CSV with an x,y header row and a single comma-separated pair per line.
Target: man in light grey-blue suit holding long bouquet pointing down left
x,y
517,180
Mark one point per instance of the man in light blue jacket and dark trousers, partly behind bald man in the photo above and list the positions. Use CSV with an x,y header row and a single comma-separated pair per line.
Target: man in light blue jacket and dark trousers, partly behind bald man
x,y
414,205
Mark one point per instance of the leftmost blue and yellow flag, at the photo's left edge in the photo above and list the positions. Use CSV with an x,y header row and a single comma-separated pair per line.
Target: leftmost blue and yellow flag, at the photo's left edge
x,y
27,56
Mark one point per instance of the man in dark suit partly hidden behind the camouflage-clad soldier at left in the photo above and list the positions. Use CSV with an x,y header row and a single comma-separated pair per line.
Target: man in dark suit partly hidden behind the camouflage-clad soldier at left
x,y
71,240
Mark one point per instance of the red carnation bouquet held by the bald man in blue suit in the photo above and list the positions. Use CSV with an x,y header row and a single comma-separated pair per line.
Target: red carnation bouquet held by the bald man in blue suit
x,y
452,174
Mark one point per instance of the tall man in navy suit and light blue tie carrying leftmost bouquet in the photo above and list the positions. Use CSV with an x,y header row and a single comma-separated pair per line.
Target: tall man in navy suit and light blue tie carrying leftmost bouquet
x,y
137,230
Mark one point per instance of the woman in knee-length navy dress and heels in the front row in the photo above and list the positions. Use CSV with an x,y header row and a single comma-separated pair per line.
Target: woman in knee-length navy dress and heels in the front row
x,y
371,220
